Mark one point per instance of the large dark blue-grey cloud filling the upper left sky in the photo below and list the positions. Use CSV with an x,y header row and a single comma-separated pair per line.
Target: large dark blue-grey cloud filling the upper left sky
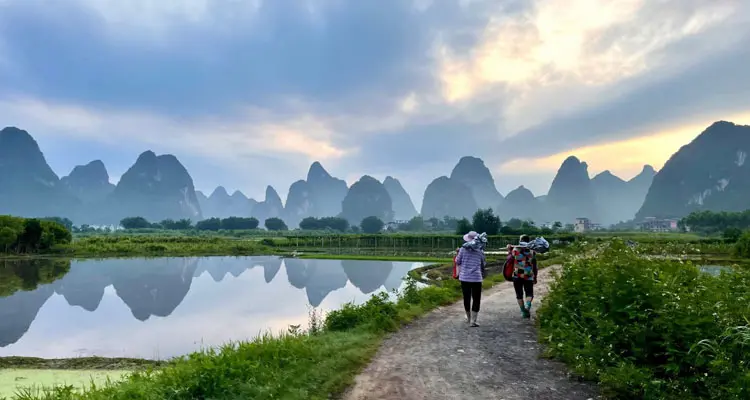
x,y
359,55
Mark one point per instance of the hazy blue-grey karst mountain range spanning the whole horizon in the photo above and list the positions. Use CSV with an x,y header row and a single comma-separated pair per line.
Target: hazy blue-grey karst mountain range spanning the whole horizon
x,y
708,173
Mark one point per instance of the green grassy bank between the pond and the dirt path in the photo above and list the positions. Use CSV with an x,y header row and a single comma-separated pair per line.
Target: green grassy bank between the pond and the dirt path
x,y
313,364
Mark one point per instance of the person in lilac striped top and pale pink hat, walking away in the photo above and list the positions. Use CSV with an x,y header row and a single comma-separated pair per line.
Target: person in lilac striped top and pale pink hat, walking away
x,y
470,263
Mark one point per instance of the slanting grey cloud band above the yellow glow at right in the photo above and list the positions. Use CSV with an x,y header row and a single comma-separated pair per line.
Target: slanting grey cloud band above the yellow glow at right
x,y
718,84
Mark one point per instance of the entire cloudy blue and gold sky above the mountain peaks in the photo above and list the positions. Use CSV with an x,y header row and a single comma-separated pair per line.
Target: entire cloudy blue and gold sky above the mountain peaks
x,y
250,92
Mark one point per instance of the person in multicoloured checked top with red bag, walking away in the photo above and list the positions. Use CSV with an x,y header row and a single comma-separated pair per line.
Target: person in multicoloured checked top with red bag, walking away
x,y
525,273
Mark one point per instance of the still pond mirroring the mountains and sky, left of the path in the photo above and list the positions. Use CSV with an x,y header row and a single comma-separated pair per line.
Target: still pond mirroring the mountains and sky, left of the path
x,y
165,307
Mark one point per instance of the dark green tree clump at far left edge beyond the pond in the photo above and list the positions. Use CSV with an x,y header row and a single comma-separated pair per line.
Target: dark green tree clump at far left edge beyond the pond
x,y
31,235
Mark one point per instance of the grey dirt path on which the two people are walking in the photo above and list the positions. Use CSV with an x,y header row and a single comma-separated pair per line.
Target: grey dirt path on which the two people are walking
x,y
440,357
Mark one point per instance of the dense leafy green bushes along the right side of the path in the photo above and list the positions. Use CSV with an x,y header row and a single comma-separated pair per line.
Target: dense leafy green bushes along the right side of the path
x,y
650,328
